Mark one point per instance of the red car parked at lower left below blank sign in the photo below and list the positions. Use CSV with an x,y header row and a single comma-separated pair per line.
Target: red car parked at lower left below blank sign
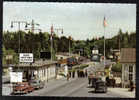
x,y
22,88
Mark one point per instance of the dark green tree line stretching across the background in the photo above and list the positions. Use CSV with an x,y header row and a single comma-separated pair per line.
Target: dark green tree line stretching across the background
x,y
36,43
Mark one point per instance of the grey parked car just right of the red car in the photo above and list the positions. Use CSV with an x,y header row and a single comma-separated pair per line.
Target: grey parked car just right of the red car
x,y
37,84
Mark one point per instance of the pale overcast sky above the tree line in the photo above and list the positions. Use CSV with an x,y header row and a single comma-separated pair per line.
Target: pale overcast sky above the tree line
x,y
80,20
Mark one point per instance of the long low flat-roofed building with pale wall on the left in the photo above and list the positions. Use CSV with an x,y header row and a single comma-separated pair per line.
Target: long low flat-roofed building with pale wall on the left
x,y
41,71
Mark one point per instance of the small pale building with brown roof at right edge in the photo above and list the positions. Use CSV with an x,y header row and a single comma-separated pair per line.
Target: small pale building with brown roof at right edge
x,y
128,61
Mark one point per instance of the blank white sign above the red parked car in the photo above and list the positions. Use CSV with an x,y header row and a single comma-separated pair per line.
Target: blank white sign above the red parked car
x,y
16,76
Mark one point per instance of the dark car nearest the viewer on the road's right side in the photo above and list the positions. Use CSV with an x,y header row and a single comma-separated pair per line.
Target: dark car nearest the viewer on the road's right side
x,y
100,86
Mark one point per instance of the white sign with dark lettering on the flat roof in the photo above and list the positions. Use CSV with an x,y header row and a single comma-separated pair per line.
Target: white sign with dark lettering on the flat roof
x,y
26,57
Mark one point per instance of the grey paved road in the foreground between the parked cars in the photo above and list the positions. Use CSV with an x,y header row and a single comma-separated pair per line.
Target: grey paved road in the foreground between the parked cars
x,y
75,88
